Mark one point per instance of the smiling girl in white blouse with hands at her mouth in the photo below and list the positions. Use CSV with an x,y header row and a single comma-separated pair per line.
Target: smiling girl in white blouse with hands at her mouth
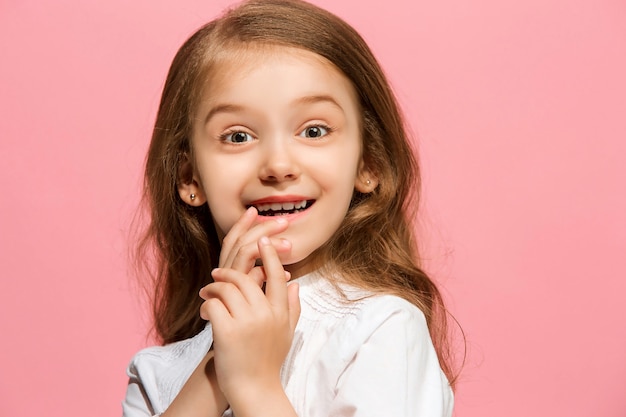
x,y
282,187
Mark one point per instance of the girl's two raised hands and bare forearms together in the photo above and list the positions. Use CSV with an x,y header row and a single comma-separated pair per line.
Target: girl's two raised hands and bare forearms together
x,y
266,318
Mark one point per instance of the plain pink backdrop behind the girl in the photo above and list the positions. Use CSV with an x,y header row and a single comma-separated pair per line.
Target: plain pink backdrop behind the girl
x,y
520,110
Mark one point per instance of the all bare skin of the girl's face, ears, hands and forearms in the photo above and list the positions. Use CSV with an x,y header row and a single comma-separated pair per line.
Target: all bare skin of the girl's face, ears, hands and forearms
x,y
279,127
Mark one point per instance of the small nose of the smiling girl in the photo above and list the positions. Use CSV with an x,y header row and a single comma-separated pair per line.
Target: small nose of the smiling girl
x,y
280,162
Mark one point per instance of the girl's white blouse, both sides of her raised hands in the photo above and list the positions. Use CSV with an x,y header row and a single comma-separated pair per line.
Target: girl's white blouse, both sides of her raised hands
x,y
366,357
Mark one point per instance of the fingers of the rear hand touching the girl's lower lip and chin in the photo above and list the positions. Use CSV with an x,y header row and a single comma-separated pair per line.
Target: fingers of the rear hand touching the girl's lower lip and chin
x,y
243,252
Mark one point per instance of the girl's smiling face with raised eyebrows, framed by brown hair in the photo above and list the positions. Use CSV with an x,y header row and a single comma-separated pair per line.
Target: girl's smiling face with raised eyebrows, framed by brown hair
x,y
279,129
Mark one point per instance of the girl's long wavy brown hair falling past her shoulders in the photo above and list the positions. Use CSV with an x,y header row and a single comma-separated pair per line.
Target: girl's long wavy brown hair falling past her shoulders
x,y
374,248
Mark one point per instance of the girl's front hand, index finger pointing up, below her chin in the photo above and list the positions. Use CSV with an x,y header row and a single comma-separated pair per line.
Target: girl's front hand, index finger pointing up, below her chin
x,y
252,330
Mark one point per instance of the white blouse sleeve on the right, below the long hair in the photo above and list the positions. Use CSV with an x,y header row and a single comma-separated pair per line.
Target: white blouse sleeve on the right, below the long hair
x,y
394,372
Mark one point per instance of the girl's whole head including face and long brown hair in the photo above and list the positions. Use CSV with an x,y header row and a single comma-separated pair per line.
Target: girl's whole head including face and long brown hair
x,y
280,69
